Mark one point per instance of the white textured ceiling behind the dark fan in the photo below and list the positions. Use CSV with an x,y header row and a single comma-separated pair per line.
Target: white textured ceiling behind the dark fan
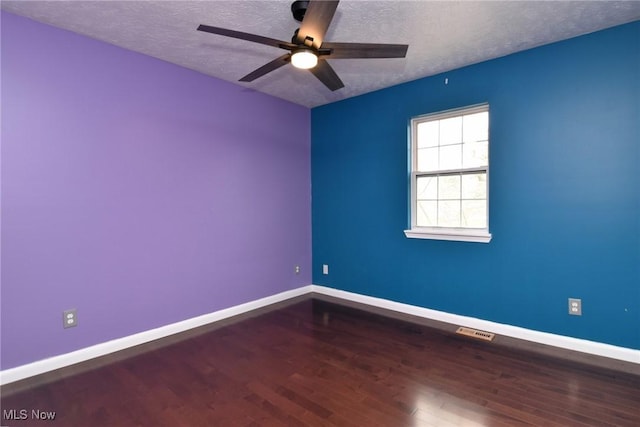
x,y
441,35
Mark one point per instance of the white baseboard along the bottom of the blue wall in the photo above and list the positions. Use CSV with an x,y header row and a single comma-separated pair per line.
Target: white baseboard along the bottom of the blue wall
x,y
569,343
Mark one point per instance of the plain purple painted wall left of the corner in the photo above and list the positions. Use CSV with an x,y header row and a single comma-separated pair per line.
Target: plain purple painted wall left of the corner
x,y
138,192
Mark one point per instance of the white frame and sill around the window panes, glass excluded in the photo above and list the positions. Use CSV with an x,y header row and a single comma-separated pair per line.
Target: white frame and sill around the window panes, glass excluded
x,y
463,234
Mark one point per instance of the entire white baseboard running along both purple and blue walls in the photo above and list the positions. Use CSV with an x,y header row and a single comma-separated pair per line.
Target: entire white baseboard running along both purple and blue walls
x,y
42,366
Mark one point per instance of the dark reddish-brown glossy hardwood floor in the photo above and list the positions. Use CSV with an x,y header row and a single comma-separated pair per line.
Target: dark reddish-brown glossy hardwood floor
x,y
316,363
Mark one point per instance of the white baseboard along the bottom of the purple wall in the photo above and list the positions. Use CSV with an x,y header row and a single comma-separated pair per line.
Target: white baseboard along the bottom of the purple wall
x,y
41,366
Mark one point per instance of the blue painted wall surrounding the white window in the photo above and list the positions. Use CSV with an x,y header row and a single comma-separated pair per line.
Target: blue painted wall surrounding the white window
x,y
564,188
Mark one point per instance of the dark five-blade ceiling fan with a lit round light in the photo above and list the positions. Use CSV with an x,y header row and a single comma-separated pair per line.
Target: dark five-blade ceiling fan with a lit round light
x,y
307,49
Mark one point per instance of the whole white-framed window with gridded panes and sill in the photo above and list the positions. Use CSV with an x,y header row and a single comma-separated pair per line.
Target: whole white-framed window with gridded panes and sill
x,y
450,175
